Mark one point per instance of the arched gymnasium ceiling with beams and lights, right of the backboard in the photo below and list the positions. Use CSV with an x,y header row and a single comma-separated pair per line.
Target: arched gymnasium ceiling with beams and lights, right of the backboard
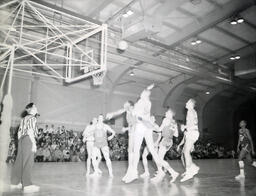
x,y
160,34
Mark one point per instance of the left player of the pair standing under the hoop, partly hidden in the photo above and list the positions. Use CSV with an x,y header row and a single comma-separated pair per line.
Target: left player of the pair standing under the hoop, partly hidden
x,y
88,137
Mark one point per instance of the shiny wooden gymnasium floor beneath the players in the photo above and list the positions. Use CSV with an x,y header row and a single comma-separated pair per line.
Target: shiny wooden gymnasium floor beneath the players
x,y
216,177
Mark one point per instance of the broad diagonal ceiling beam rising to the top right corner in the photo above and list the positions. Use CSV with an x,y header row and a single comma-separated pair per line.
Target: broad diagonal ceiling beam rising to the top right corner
x,y
208,21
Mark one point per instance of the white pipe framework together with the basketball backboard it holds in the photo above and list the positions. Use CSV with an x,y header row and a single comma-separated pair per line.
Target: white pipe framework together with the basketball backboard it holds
x,y
51,43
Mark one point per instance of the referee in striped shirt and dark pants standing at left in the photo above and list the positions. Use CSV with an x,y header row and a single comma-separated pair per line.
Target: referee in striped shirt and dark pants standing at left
x,y
21,173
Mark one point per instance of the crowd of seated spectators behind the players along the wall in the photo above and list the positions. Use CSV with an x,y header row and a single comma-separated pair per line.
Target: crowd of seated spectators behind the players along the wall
x,y
62,145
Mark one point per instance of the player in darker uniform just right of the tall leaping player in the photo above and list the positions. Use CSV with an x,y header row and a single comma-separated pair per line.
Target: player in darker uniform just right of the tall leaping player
x,y
168,129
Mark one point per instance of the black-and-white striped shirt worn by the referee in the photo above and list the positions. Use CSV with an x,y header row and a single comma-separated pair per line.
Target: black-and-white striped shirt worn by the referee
x,y
28,123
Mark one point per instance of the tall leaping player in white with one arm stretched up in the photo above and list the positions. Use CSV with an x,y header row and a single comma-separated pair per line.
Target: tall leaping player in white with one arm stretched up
x,y
143,129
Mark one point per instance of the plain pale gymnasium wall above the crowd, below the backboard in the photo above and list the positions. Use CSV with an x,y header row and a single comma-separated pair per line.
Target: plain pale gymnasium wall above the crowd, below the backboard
x,y
73,105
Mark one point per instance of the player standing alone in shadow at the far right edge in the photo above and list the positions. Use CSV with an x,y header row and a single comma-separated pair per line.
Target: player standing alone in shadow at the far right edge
x,y
247,149
